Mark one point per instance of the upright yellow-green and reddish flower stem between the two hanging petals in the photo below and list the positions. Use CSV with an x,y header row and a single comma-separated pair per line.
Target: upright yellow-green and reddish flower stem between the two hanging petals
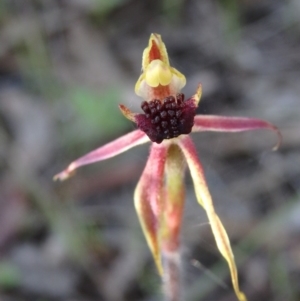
x,y
171,224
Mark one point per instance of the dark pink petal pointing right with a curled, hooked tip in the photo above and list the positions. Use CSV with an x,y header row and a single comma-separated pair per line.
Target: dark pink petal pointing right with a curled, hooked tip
x,y
232,124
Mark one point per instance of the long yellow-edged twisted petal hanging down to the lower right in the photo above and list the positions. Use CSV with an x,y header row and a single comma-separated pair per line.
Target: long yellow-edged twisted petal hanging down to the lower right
x,y
205,200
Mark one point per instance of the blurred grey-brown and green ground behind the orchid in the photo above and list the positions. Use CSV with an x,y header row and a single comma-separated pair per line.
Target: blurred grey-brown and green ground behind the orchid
x,y
65,65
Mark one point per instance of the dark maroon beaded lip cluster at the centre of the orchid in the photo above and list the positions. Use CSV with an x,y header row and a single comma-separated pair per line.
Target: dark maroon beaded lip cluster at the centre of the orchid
x,y
168,118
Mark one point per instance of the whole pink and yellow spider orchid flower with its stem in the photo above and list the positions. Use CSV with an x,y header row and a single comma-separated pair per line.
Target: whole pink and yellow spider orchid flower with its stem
x,y
166,121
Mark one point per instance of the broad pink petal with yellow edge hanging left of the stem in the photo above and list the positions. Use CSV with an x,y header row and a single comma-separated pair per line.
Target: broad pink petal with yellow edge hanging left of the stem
x,y
148,198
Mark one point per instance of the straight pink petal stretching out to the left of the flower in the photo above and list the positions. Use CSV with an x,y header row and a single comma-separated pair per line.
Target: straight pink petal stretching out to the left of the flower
x,y
106,151
